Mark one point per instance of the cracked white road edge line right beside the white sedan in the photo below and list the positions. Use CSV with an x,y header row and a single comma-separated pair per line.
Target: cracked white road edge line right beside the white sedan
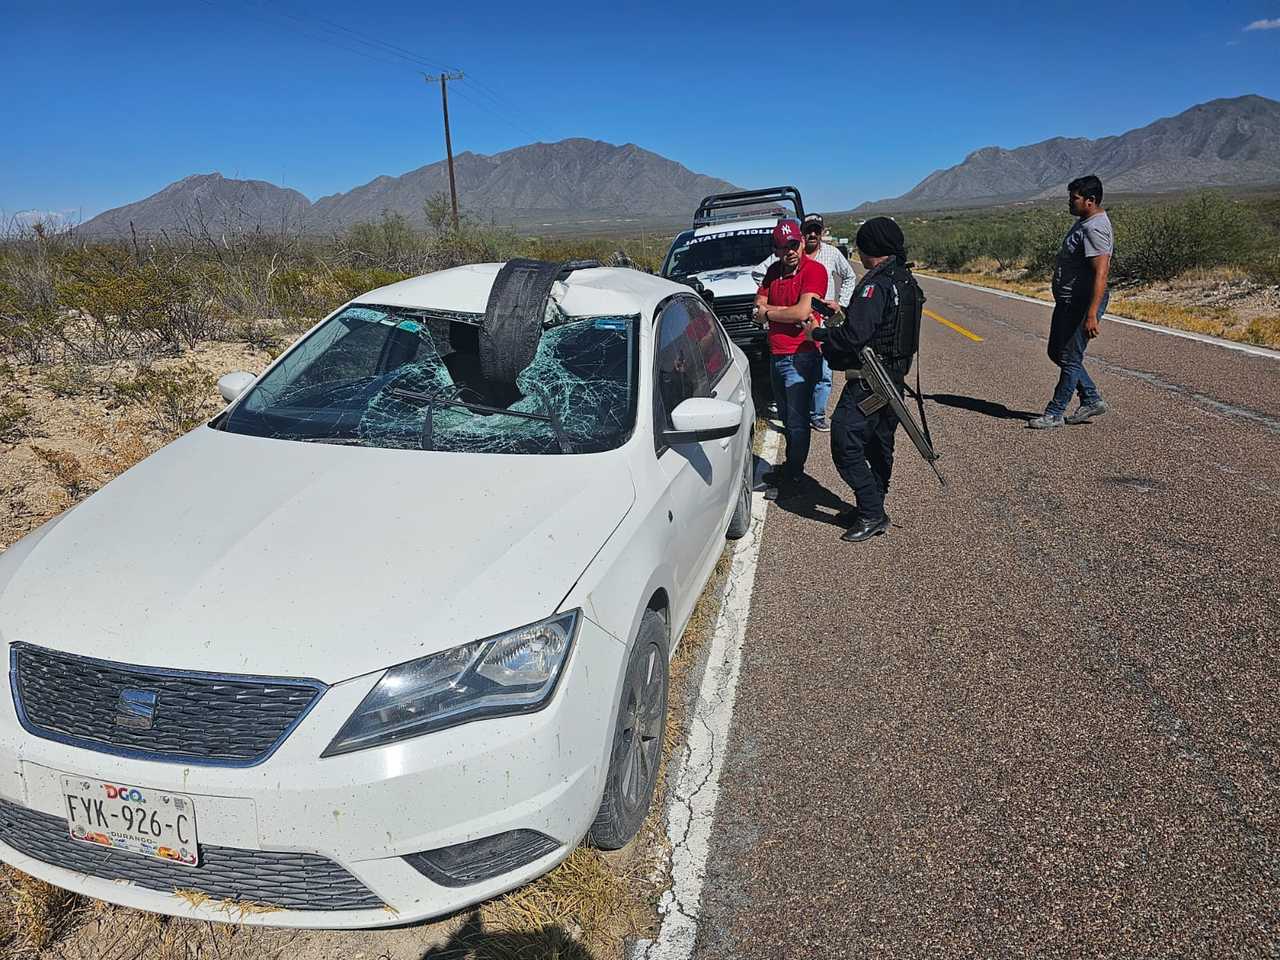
x,y
696,785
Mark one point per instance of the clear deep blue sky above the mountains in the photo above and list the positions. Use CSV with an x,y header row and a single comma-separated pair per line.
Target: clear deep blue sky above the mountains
x,y
107,103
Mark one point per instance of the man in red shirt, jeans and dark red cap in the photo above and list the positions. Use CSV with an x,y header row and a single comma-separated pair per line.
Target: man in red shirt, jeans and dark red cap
x,y
785,303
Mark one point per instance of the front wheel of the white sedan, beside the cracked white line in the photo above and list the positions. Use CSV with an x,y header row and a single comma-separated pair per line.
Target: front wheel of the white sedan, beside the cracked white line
x,y
638,739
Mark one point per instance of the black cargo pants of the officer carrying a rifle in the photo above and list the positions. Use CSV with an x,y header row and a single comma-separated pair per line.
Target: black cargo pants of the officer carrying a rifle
x,y
862,449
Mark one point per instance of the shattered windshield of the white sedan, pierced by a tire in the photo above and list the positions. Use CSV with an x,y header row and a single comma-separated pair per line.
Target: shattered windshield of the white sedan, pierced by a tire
x,y
413,380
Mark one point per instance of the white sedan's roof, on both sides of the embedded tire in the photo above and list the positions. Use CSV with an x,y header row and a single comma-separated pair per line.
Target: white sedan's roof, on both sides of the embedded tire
x,y
588,292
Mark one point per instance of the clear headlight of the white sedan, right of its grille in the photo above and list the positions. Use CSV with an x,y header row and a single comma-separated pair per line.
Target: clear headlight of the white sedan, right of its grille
x,y
514,673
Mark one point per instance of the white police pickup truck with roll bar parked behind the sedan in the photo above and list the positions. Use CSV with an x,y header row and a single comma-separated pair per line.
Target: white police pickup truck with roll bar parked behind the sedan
x,y
720,257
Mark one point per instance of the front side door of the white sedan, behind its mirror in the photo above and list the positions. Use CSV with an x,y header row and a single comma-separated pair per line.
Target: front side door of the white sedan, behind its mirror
x,y
698,476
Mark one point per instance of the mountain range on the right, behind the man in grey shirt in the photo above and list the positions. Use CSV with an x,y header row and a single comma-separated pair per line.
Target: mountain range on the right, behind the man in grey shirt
x,y
1218,144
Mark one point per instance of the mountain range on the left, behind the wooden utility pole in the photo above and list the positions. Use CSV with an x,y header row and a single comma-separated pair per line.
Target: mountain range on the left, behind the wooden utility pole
x,y
570,180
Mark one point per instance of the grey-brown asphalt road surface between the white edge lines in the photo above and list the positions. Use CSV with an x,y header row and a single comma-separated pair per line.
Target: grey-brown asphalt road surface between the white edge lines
x,y
1039,719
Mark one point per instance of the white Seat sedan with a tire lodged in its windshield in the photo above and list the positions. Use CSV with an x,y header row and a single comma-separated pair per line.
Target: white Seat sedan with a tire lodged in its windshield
x,y
391,634
